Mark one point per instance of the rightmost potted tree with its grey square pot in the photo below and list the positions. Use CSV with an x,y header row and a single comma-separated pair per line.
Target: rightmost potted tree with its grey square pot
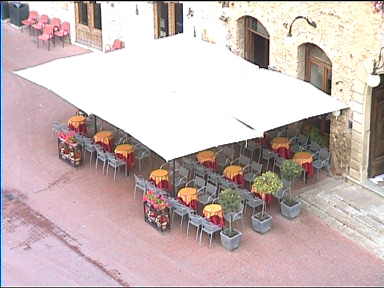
x,y
290,207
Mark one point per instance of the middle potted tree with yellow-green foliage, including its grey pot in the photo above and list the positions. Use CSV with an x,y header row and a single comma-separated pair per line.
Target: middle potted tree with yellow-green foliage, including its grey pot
x,y
266,183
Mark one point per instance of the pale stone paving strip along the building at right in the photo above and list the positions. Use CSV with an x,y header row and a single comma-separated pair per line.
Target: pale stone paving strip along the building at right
x,y
351,209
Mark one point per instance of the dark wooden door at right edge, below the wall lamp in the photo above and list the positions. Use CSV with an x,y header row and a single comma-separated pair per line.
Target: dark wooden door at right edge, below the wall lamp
x,y
376,149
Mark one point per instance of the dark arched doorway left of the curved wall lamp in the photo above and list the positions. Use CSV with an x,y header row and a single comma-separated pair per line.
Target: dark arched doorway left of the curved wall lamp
x,y
256,42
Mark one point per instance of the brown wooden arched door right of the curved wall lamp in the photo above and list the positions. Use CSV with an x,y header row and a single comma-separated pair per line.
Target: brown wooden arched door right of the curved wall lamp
x,y
318,68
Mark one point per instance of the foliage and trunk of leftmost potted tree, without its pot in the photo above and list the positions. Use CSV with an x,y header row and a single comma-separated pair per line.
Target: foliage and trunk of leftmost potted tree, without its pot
x,y
230,201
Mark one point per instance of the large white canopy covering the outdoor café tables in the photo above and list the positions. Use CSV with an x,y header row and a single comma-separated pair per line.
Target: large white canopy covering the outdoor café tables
x,y
180,95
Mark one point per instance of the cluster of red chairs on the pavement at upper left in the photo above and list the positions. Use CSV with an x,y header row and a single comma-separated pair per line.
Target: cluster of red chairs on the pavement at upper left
x,y
46,29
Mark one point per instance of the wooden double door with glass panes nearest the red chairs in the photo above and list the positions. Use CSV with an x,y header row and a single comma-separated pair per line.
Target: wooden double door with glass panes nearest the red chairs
x,y
88,23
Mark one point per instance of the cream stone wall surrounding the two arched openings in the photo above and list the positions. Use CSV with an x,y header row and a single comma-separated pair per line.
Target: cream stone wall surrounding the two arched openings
x,y
351,36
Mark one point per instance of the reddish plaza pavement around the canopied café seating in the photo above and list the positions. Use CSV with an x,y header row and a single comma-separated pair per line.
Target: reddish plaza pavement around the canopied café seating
x,y
96,228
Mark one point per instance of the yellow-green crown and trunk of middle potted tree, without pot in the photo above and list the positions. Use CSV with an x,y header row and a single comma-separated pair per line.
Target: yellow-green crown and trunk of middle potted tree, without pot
x,y
266,183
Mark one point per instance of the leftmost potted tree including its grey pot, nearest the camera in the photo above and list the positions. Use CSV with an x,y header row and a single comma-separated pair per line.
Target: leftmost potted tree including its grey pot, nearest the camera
x,y
230,201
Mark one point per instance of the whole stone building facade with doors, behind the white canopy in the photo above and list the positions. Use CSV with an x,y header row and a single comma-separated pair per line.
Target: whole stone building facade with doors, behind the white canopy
x,y
332,45
